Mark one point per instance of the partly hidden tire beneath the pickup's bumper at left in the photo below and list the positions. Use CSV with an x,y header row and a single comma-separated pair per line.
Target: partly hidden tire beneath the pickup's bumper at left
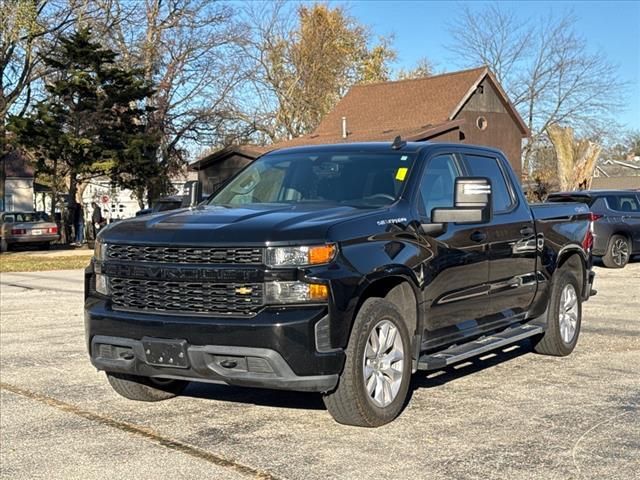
x,y
145,389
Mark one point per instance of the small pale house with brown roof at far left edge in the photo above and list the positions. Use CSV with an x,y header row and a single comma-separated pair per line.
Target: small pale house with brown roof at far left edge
x,y
16,182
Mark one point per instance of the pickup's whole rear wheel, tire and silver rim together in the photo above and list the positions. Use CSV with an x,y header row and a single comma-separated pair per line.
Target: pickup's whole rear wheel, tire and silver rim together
x,y
564,317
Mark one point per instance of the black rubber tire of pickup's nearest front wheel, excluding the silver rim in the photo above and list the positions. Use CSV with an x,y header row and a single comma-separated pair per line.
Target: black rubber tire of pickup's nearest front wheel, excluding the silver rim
x,y
350,403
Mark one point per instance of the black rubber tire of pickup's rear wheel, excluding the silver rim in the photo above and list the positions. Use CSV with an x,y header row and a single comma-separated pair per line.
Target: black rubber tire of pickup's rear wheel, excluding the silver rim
x,y
552,342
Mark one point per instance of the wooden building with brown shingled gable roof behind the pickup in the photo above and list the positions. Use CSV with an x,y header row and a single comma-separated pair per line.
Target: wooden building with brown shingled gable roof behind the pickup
x,y
468,106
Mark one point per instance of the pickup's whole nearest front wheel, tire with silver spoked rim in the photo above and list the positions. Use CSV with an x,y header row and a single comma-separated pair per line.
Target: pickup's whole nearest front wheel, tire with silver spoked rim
x,y
373,386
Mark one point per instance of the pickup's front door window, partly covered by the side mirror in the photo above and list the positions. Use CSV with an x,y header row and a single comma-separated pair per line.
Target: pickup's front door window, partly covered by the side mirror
x,y
436,188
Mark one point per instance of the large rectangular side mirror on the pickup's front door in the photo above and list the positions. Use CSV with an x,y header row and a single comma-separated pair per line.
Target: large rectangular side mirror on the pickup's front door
x,y
472,202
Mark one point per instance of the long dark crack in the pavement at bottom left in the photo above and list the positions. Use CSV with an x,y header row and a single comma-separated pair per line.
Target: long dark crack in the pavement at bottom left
x,y
140,431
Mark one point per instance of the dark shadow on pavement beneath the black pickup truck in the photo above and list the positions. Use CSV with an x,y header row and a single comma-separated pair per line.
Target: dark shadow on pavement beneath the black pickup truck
x,y
313,401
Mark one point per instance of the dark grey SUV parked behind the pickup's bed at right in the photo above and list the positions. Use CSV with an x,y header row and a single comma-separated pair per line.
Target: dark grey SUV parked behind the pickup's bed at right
x,y
616,222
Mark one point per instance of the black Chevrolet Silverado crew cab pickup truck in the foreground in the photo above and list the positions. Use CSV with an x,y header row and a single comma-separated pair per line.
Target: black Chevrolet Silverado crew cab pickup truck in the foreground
x,y
339,269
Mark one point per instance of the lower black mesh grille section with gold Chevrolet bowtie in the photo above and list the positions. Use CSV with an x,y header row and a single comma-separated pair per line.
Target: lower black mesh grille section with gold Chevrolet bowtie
x,y
229,299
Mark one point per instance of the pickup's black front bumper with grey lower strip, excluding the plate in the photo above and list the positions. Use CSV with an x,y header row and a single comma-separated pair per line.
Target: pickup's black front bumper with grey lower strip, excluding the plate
x,y
274,349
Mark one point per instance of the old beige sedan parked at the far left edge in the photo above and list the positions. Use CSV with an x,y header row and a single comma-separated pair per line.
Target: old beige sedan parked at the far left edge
x,y
35,228
